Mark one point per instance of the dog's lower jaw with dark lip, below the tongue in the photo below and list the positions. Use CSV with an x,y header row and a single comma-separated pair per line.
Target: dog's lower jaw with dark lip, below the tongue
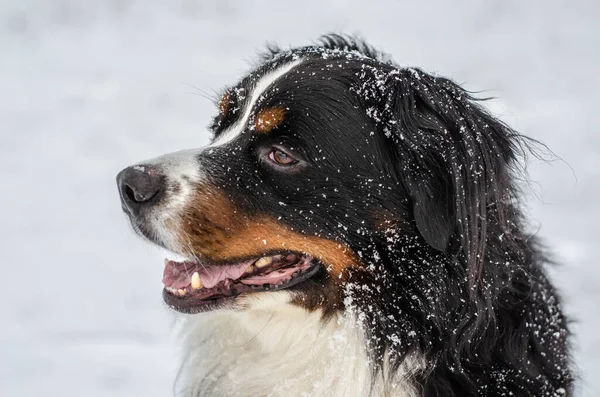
x,y
190,304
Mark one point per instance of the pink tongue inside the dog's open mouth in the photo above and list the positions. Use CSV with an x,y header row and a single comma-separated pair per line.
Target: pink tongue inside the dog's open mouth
x,y
179,274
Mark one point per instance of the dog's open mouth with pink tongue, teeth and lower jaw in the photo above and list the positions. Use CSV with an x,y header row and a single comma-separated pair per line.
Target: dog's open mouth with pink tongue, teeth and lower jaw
x,y
192,287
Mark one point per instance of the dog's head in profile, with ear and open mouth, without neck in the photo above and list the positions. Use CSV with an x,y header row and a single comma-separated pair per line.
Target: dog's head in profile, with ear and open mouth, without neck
x,y
329,167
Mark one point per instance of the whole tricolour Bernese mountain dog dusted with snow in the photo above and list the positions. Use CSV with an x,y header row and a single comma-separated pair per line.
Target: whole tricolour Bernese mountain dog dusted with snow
x,y
352,229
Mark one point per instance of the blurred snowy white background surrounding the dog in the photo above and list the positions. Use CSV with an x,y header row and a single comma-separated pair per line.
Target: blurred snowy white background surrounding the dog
x,y
87,88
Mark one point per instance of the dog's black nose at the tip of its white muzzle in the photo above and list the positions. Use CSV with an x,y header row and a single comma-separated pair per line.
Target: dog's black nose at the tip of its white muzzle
x,y
139,186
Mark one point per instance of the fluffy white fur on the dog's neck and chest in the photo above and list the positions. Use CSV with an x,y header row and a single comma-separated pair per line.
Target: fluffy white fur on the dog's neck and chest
x,y
278,349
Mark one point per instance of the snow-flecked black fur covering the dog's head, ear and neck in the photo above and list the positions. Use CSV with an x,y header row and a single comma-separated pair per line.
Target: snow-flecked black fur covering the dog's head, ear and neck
x,y
453,275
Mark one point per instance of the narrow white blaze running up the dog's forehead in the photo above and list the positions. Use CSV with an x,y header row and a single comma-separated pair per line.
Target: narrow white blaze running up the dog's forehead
x,y
259,89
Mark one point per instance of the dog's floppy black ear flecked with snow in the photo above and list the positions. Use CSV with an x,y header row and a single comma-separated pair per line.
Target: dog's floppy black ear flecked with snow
x,y
453,159
